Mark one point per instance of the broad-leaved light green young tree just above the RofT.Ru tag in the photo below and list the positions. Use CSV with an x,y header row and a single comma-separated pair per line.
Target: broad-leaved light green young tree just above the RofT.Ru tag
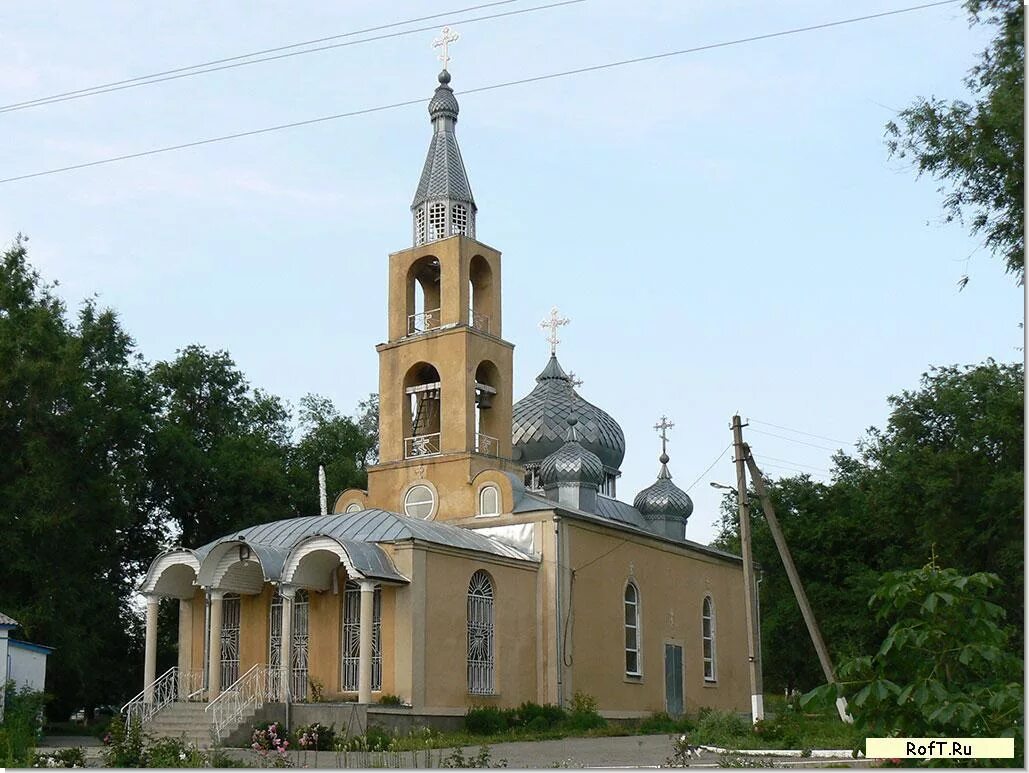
x,y
944,669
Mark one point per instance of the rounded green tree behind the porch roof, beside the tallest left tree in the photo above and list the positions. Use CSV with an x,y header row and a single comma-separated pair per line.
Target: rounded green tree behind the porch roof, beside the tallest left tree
x,y
221,449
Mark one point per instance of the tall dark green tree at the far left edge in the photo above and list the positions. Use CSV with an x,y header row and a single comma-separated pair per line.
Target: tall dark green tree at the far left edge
x,y
76,424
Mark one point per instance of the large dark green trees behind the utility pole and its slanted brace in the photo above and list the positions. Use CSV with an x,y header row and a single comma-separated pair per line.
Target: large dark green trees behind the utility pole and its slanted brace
x,y
946,472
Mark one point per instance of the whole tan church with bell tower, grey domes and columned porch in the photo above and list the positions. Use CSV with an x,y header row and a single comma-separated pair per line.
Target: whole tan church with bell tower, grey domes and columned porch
x,y
490,561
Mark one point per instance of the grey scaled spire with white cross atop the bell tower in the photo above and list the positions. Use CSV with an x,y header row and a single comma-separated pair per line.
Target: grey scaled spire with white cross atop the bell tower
x,y
444,205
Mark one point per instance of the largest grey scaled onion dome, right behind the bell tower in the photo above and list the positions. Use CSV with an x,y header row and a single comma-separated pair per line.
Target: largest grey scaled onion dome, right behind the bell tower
x,y
540,421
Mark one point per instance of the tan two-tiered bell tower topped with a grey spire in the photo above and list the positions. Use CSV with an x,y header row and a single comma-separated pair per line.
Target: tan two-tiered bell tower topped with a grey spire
x,y
445,374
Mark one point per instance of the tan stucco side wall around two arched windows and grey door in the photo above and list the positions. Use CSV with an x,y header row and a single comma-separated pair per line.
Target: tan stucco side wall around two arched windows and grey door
x,y
672,588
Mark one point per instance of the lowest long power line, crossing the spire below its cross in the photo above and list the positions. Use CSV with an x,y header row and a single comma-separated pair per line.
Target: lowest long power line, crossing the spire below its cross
x,y
521,82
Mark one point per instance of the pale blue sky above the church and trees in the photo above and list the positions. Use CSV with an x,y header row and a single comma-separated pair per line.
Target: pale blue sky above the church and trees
x,y
726,230
